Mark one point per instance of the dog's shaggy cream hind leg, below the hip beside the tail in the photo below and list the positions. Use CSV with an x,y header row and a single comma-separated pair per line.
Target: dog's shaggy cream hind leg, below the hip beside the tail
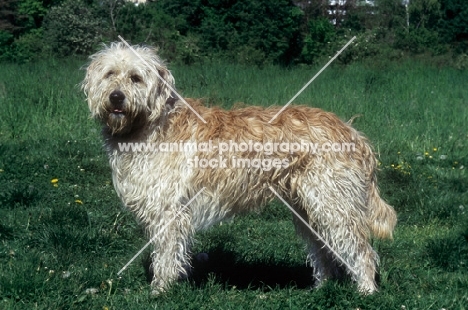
x,y
336,208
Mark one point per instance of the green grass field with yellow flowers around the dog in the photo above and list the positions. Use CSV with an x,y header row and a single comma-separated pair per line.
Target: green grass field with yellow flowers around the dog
x,y
64,234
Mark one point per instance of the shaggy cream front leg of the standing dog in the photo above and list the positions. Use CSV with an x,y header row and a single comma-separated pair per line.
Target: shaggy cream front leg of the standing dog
x,y
172,234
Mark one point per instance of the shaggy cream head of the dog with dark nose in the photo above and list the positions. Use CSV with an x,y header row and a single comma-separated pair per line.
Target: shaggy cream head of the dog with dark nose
x,y
127,88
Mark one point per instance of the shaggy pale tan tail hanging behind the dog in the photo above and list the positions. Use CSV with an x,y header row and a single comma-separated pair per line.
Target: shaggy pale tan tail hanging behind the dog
x,y
382,217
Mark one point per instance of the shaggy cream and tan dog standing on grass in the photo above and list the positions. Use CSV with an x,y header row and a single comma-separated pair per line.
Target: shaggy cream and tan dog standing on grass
x,y
333,190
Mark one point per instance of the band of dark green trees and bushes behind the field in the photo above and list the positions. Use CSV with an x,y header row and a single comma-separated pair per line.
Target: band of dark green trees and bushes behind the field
x,y
245,31
